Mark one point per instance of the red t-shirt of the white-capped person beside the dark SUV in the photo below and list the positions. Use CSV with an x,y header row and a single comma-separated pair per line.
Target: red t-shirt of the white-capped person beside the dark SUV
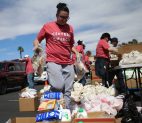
x,y
29,67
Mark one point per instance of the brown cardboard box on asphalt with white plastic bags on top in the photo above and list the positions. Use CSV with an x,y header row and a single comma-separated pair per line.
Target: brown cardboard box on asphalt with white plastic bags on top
x,y
28,104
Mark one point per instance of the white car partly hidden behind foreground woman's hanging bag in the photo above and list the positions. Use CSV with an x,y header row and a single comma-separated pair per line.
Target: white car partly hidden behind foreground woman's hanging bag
x,y
41,78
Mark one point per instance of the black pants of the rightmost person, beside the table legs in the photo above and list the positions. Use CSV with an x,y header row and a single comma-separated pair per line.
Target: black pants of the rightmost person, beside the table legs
x,y
120,85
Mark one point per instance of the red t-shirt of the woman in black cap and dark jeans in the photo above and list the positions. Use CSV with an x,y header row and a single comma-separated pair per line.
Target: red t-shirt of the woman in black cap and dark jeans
x,y
102,49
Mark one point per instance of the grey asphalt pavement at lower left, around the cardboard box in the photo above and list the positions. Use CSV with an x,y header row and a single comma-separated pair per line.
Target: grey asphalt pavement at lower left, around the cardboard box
x,y
9,105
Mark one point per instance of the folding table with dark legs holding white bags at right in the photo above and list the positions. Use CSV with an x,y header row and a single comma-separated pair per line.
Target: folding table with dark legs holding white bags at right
x,y
137,71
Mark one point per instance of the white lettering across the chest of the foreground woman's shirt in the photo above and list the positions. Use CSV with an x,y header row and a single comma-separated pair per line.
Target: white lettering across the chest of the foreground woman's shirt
x,y
61,36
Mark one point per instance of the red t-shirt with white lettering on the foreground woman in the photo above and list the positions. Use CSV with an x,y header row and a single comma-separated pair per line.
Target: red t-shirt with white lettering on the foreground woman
x,y
59,42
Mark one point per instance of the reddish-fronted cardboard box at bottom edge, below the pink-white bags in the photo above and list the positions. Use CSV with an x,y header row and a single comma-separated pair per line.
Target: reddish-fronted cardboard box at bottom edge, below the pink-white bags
x,y
96,117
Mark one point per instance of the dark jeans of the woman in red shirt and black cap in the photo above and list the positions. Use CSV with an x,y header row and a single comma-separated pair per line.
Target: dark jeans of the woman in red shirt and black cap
x,y
101,69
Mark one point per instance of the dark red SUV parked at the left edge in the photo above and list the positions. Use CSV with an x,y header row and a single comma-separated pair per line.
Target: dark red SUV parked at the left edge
x,y
12,74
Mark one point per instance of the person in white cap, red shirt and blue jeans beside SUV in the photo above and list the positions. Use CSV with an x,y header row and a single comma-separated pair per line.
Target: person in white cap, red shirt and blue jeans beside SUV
x,y
29,71
